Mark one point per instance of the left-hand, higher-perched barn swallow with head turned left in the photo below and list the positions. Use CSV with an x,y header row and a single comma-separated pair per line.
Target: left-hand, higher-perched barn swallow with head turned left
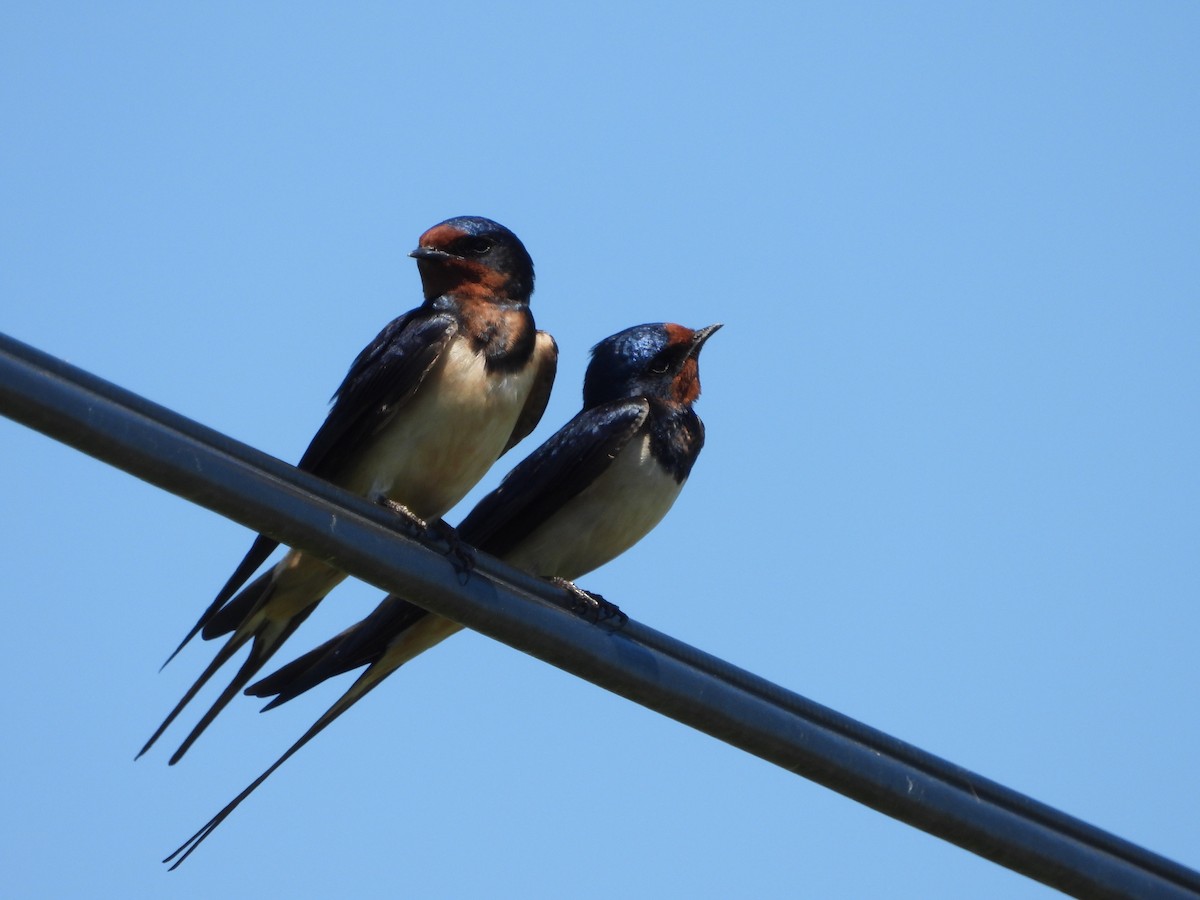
x,y
424,412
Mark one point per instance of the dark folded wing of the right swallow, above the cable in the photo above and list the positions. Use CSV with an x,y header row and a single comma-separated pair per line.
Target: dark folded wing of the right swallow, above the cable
x,y
553,475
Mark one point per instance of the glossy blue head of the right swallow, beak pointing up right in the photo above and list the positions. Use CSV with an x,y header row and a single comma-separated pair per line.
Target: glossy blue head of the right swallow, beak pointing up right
x,y
657,362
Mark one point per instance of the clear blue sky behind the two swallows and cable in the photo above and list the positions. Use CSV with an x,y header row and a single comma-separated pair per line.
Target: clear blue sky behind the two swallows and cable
x,y
951,482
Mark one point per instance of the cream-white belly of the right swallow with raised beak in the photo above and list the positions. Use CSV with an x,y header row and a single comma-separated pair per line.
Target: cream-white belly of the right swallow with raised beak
x,y
604,521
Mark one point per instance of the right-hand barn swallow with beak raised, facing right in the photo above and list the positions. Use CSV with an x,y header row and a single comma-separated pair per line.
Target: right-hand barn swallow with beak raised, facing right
x,y
591,493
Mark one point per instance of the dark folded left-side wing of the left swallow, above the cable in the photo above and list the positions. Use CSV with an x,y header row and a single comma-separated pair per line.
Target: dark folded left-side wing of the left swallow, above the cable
x,y
381,381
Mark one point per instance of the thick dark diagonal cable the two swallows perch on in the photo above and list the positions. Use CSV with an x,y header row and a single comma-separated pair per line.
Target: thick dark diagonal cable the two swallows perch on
x,y
635,662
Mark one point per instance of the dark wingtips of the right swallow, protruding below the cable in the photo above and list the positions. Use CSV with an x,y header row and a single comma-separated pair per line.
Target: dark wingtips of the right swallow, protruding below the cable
x,y
358,646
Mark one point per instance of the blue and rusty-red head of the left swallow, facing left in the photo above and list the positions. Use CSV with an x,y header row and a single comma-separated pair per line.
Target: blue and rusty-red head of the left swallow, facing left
x,y
472,255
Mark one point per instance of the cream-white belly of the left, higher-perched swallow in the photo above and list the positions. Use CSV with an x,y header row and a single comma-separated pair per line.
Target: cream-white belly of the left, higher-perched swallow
x,y
448,435
